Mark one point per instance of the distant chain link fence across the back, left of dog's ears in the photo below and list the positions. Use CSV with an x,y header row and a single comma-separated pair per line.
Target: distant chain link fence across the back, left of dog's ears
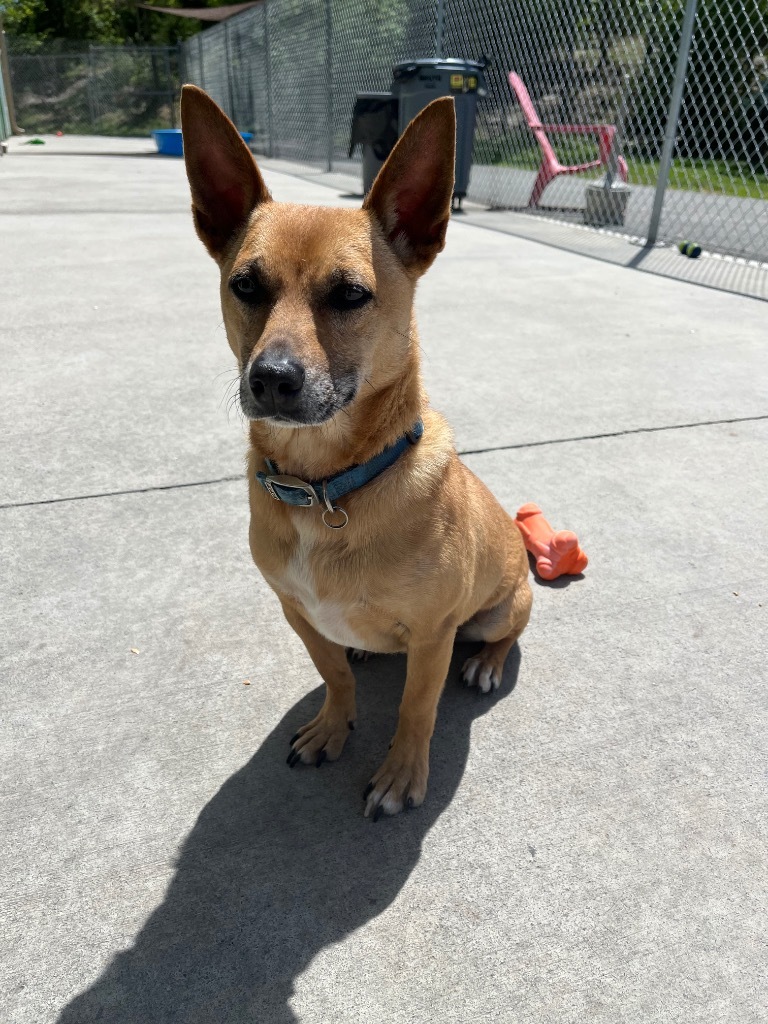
x,y
106,91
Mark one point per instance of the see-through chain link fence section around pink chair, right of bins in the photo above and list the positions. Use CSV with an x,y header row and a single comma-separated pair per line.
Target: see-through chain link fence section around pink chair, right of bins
x,y
583,63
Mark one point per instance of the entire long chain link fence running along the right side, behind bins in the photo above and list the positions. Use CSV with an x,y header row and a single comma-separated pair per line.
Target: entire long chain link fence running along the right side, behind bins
x,y
289,71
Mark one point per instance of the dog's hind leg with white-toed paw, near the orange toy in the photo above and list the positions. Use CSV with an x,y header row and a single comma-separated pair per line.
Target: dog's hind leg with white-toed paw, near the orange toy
x,y
500,627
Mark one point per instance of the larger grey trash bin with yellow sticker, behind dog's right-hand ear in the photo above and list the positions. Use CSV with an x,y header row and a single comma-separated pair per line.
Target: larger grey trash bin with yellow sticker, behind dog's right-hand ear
x,y
417,83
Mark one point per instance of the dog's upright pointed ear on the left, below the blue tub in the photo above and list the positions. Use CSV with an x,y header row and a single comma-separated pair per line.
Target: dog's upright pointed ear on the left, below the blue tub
x,y
225,181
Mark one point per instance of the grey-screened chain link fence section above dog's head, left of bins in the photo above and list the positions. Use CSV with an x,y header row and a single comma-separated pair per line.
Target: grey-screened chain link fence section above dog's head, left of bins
x,y
289,70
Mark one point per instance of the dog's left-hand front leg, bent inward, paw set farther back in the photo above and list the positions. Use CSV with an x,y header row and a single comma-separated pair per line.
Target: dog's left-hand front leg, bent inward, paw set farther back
x,y
324,738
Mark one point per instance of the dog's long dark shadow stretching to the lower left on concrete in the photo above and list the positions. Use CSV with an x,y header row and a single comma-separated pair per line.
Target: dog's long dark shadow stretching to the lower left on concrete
x,y
281,865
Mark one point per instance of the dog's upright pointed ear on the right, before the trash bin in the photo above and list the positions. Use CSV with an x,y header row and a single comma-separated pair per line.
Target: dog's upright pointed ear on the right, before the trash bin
x,y
412,194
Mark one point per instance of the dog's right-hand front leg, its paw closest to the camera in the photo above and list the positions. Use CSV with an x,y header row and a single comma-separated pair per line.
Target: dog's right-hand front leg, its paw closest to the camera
x,y
402,781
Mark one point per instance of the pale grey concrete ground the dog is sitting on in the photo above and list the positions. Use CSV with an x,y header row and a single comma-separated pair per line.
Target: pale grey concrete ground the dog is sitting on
x,y
593,843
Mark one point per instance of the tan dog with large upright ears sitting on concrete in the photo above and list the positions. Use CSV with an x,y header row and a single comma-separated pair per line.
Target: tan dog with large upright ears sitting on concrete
x,y
318,307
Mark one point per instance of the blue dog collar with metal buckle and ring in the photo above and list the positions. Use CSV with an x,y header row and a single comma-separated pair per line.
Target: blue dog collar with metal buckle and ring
x,y
304,494
